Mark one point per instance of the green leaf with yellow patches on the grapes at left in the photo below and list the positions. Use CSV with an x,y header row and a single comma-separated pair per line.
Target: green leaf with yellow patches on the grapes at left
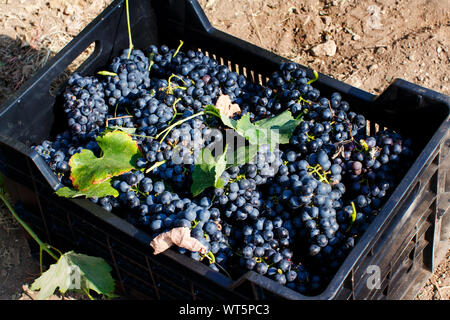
x,y
120,153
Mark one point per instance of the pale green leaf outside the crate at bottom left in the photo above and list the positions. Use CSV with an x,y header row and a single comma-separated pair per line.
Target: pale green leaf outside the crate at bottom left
x,y
78,272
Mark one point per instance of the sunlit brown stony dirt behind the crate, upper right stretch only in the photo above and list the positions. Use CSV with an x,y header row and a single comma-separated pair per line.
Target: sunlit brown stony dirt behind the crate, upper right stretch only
x,y
364,43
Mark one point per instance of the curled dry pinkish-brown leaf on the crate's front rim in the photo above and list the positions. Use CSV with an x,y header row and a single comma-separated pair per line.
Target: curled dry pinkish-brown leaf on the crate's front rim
x,y
180,237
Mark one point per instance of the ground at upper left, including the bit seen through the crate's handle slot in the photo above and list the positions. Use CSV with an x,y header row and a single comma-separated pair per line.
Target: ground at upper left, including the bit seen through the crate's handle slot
x,y
33,31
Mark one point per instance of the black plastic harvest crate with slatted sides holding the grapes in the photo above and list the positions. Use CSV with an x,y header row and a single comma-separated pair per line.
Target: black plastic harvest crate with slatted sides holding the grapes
x,y
406,240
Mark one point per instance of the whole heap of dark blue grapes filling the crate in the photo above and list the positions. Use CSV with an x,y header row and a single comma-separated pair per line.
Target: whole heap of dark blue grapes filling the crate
x,y
292,214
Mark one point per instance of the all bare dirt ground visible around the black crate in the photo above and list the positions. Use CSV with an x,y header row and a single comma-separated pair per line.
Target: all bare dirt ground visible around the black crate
x,y
366,44
